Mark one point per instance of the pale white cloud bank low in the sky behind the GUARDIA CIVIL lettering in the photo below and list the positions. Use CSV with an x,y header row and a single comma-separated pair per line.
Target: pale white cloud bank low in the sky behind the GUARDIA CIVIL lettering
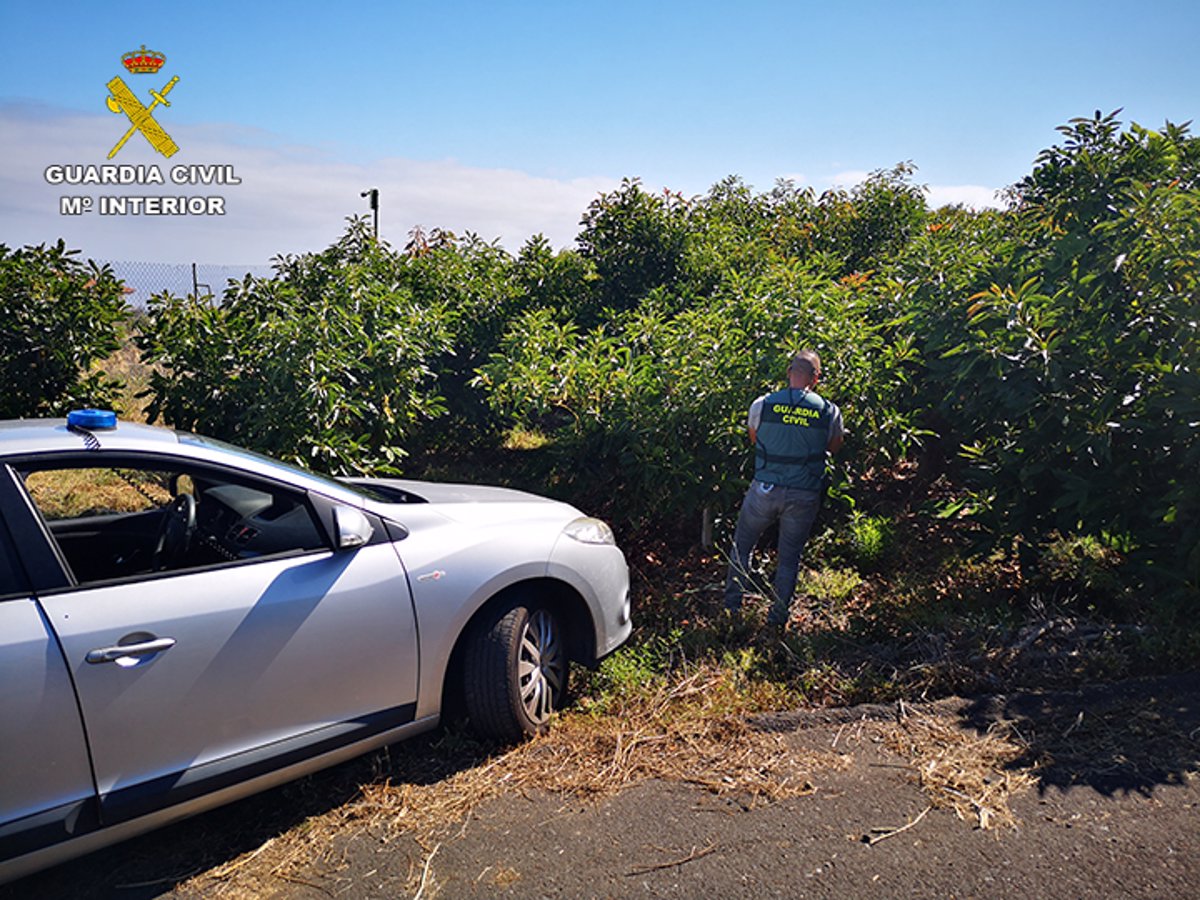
x,y
291,200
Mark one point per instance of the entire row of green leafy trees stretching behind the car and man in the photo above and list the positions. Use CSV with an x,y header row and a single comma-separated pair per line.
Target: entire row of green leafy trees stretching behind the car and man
x,y
1046,356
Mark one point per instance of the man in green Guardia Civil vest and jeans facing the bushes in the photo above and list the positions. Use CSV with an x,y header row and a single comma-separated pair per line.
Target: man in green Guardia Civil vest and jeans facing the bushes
x,y
791,430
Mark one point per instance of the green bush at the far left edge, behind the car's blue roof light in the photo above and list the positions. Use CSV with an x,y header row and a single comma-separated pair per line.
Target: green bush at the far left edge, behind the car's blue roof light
x,y
58,317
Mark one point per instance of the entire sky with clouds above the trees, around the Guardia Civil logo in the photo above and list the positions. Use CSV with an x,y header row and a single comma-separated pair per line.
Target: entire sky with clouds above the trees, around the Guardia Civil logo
x,y
506,119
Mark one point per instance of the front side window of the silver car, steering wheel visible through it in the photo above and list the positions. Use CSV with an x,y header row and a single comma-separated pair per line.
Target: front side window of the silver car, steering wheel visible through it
x,y
116,523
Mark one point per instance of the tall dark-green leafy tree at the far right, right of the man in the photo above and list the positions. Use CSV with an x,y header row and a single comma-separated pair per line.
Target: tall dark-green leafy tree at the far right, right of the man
x,y
1071,376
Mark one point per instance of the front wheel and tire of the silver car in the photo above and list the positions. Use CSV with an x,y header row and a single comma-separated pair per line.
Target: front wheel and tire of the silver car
x,y
517,673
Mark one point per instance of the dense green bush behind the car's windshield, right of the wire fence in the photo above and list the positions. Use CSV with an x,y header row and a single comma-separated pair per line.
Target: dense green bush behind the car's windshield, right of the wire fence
x,y
327,364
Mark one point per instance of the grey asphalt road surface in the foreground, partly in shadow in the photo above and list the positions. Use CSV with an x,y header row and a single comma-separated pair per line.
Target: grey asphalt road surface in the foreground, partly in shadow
x,y
1114,813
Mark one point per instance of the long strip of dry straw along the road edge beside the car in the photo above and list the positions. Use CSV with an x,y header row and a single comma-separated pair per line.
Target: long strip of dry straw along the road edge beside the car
x,y
676,733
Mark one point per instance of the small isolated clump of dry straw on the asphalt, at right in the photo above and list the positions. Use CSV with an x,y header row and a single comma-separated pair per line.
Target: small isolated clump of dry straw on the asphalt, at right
x,y
973,775
